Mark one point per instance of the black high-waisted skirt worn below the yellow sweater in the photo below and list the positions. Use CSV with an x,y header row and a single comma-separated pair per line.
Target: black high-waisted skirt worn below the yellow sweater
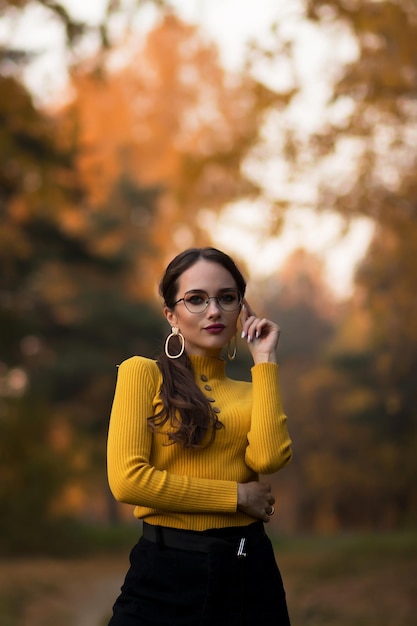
x,y
220,577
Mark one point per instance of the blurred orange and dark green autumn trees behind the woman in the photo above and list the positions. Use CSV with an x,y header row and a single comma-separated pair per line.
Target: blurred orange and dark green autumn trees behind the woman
x,y
97,193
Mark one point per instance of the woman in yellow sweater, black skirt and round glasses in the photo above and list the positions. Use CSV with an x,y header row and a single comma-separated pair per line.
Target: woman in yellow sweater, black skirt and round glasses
x,y
186,445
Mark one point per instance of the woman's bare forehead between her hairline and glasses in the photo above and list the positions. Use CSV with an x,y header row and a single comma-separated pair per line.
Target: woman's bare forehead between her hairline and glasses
x,y
206,275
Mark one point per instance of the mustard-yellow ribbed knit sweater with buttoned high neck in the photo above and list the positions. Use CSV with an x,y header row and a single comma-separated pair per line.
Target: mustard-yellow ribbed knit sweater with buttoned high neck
x,y
194,489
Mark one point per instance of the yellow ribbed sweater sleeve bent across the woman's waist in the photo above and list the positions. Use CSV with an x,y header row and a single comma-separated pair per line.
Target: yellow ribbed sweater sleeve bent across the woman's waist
x,y
132,478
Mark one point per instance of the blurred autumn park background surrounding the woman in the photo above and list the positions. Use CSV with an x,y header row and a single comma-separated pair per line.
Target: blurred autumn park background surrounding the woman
x,y
284,133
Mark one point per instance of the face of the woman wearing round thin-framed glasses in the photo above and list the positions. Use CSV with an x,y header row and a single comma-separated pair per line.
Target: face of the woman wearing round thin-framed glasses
x,y
205,333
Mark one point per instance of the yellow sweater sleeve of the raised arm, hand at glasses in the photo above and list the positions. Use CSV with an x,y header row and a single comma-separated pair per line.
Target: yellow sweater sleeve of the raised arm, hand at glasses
x,y
269,444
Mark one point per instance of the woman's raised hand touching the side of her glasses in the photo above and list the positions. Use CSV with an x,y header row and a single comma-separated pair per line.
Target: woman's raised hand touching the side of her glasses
x,y
261,334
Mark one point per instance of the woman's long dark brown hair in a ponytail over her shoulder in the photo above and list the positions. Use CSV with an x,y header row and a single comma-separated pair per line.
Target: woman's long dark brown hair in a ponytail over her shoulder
x,y
185,406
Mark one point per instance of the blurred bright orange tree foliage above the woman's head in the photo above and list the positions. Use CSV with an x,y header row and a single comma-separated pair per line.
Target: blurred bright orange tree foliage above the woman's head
x,y
168,116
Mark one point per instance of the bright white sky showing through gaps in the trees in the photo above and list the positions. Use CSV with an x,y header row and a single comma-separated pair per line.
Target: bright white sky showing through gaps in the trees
x,y
231,23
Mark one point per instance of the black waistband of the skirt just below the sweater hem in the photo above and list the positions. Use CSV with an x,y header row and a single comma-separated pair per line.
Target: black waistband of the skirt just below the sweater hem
x,y
235,538
